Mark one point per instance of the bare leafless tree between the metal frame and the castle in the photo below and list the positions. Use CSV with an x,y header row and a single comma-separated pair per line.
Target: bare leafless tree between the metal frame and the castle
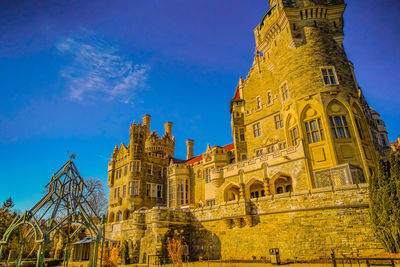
x,y
96,196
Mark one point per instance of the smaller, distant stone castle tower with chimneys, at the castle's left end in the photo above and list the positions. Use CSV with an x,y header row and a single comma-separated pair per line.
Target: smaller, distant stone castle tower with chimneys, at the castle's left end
x,y
137,173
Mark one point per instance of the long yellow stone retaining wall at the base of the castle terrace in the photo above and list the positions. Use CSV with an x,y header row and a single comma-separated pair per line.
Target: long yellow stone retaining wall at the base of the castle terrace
x,y
304,225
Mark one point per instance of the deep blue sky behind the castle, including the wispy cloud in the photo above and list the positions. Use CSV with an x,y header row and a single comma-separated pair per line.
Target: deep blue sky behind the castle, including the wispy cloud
x,y
75,74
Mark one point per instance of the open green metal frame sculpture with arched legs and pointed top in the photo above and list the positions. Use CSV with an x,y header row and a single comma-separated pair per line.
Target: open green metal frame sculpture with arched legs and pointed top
x,y
65,204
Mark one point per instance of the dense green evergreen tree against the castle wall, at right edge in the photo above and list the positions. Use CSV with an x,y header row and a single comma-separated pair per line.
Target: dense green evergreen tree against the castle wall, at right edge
x,y
385,203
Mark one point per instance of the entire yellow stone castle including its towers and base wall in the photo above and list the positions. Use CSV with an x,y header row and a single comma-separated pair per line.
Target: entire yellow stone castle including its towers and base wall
x,y
305,144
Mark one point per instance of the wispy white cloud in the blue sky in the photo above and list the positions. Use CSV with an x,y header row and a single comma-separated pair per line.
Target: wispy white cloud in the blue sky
x,y
99,71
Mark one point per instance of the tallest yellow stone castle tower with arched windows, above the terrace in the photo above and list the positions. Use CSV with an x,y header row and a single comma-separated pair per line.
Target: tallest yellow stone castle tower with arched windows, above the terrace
x,y
301,90
